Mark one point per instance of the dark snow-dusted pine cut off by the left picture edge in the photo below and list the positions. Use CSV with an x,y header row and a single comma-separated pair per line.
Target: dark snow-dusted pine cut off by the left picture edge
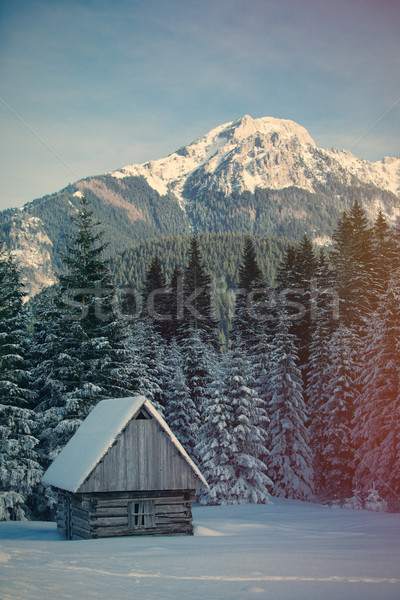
x,y
20,470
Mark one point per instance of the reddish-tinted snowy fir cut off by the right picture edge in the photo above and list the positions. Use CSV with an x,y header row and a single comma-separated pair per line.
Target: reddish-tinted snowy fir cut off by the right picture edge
x,y
376,419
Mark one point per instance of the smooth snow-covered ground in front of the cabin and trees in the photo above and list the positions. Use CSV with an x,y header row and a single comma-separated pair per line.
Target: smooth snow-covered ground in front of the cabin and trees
x,y
286,550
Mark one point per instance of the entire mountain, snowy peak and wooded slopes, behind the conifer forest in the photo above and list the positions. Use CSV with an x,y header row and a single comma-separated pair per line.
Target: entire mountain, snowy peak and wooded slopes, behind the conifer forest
x,y
264,176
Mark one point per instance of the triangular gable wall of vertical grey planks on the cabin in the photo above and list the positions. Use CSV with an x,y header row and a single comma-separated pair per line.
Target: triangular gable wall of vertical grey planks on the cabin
x,y
142,458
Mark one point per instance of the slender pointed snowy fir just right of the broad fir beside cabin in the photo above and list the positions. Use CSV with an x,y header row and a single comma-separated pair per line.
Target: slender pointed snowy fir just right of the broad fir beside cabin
x,y
290,459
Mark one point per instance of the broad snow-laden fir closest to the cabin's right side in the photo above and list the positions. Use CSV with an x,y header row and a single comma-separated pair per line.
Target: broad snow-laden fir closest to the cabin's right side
x,y
233,436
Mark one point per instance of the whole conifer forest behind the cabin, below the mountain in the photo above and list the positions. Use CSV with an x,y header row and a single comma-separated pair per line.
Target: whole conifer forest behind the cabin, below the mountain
x,y
280,379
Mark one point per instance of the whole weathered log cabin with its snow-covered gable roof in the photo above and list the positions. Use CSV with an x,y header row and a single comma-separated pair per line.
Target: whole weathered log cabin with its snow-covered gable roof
x,y
124,473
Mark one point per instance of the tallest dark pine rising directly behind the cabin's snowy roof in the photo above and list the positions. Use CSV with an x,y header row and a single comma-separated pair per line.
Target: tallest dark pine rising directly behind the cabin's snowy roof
x,y
78,339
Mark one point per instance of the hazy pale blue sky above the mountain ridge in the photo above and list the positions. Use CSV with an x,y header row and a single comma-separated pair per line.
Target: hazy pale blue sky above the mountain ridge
x,y
90,86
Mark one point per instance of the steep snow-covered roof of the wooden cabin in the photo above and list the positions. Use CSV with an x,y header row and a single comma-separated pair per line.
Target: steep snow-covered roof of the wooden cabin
x,y
96,435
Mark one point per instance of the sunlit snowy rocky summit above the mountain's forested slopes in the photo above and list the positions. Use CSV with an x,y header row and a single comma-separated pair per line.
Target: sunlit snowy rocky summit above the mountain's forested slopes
x,y
259,153
